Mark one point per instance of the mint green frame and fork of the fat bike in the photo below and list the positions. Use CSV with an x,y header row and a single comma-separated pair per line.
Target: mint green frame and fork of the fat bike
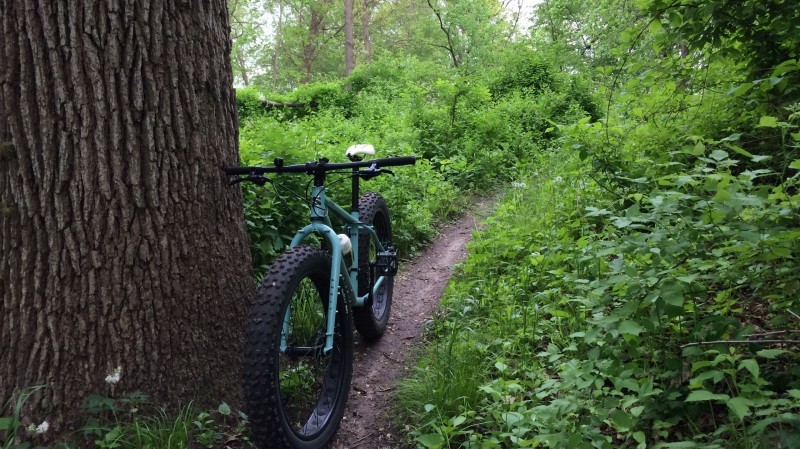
x,y
321,224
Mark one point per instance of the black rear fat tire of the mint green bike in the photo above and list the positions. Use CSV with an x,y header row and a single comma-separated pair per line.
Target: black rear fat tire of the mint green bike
x,y
372,318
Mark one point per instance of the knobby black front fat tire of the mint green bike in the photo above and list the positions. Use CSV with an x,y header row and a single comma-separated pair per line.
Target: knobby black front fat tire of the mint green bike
x,y
278,415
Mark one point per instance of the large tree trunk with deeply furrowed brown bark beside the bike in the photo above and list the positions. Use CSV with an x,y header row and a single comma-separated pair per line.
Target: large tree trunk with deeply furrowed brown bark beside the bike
x,y
122,245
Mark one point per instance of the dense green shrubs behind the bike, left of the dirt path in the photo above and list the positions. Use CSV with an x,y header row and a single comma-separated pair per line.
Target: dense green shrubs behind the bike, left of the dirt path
x,y
467,137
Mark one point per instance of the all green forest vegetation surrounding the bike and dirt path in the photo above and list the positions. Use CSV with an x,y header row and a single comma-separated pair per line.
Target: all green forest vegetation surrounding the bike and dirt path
x,y
638,283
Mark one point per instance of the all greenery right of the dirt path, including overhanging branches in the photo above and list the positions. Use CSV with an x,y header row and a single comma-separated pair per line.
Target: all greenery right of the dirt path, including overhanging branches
x,y
637,288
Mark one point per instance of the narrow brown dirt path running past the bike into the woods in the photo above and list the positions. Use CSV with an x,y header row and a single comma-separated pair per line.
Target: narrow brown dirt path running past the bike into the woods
x,y
417,291
